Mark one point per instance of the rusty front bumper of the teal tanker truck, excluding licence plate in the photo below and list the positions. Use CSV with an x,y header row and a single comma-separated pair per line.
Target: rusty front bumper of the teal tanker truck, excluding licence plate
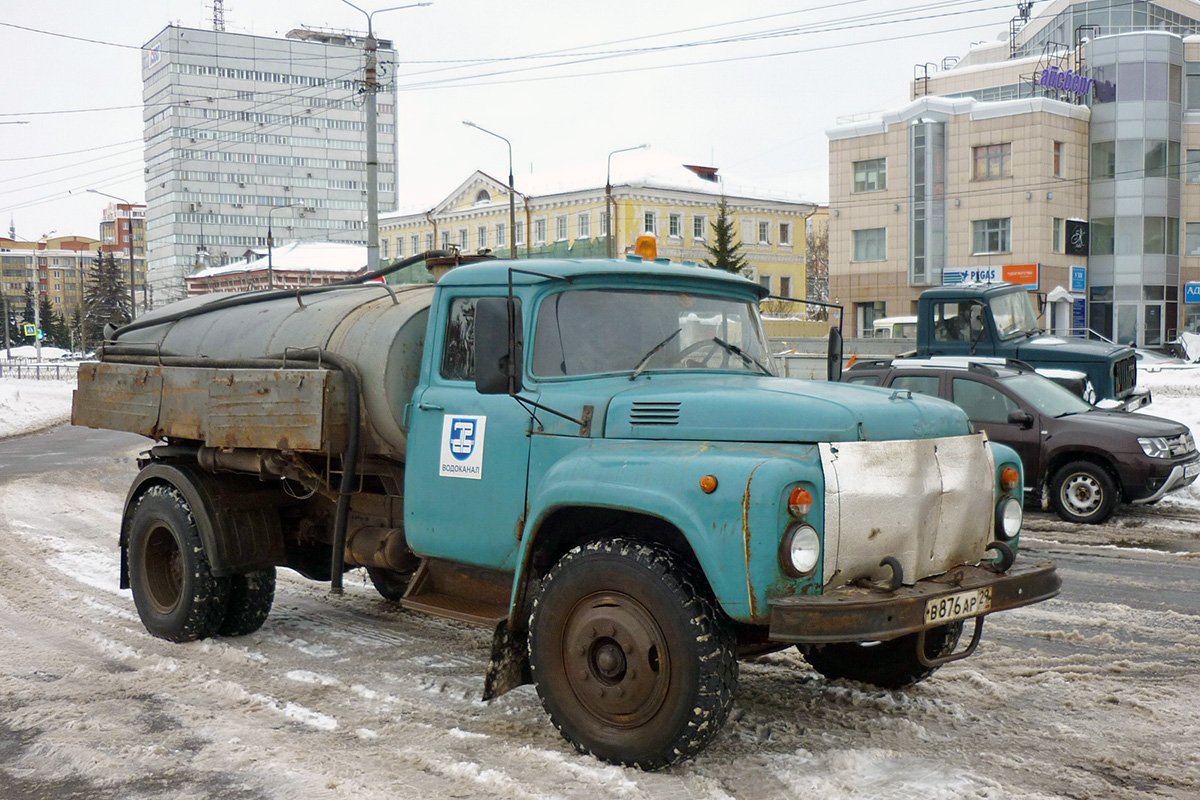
x,y
866,615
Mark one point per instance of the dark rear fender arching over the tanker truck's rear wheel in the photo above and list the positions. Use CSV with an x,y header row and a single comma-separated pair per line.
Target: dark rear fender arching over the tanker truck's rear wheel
x,y
238,531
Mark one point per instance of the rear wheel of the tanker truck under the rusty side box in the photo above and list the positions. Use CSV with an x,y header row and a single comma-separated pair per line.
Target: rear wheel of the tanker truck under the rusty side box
x,y
175,591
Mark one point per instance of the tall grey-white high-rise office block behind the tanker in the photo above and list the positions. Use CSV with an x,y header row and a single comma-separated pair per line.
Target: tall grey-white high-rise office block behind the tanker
x,y
248,134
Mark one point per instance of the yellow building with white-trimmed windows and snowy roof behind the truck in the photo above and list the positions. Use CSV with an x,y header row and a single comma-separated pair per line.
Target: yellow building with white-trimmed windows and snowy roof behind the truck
x,y
563,216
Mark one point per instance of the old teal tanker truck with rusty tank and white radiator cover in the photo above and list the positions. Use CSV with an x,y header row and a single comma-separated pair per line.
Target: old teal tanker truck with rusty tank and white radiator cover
x,y
596,460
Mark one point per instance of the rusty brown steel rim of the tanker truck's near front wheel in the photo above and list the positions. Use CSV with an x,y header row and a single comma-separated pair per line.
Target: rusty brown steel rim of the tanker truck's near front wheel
x,y
616,659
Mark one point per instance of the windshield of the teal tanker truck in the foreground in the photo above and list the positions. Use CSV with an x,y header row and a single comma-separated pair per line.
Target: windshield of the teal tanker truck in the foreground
x,y
592,332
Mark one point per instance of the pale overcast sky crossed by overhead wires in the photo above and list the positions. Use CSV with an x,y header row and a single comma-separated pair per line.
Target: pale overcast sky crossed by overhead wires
x,y
749,88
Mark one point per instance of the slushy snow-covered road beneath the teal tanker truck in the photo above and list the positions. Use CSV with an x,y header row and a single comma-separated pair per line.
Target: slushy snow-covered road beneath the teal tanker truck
x,y
1091,695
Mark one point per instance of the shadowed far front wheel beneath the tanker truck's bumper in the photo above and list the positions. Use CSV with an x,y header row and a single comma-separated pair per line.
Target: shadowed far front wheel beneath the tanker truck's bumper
x,y
887,665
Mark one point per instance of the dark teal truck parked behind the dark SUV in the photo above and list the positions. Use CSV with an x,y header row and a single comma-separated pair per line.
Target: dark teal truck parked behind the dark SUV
x,y
998,320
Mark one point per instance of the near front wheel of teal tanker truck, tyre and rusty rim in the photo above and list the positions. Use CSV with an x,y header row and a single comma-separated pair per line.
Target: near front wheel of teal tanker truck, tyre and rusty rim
x,y
634,664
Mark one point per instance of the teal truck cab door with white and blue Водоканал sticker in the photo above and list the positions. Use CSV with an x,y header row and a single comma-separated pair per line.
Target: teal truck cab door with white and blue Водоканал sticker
x,y
469,454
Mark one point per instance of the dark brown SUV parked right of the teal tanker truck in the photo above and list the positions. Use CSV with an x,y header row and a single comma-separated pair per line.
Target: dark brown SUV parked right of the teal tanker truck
x,y
1079,459
